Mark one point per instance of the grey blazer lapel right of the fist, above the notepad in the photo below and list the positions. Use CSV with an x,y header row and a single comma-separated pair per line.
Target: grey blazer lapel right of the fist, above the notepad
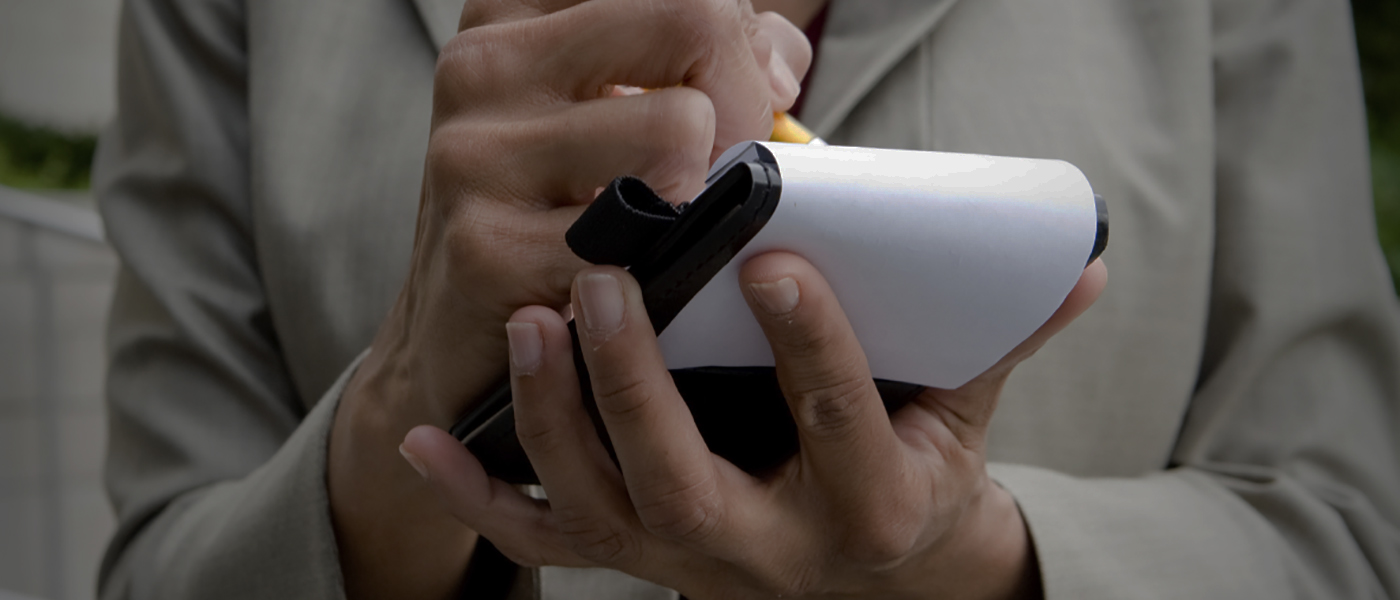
x,y
863,41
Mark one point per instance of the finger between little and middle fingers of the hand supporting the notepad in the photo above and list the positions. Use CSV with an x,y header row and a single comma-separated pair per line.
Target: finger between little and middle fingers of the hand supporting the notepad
x,y
586,492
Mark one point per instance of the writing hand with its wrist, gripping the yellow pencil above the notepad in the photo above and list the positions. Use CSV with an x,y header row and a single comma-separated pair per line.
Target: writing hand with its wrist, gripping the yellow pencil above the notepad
x,y
526,131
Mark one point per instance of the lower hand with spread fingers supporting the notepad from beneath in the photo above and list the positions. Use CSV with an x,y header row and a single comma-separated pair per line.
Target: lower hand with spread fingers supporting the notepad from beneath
x,y
874,506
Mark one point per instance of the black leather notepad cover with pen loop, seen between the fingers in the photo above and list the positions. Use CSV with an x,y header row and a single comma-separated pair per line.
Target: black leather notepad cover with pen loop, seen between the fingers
x,y
673,254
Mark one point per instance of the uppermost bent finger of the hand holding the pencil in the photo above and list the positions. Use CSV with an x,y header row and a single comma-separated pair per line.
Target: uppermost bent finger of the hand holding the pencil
x,y
580,52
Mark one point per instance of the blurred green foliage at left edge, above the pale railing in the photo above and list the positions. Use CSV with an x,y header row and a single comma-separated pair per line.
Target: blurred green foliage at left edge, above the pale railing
x,y
44,159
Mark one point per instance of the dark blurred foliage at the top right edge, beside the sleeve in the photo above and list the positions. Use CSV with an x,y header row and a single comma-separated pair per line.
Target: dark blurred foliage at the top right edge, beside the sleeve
x,y
1378,38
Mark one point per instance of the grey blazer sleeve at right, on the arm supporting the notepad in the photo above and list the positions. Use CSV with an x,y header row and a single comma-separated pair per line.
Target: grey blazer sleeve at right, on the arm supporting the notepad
x,y
1286,478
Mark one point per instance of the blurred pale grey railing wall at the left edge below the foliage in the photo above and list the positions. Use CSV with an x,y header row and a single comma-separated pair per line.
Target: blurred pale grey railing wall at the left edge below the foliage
x,y
58,275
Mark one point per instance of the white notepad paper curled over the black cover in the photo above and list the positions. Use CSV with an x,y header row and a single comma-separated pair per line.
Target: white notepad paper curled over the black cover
x,y
943,262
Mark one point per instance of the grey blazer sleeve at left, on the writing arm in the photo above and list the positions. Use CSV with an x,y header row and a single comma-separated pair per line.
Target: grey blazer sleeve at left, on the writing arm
x,y
215,466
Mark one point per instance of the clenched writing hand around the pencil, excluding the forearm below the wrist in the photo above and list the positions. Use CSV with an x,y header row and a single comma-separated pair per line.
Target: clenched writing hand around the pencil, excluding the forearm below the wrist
x,y
526,131
